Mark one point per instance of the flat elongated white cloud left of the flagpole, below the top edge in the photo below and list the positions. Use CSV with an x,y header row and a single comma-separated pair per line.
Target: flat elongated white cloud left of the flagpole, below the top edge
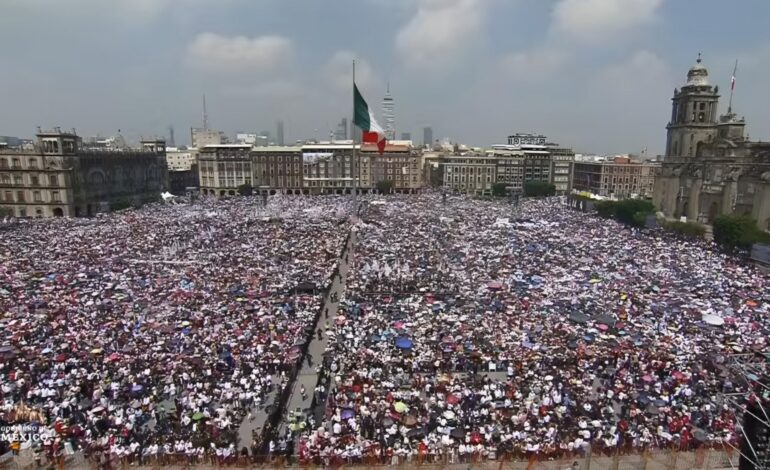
x,y
265,55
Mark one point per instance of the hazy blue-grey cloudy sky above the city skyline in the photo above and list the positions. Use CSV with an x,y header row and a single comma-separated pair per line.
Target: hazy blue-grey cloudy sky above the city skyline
x,y
593,74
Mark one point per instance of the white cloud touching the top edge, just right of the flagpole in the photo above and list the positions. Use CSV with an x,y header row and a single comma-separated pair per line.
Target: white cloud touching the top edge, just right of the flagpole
x,y
440,32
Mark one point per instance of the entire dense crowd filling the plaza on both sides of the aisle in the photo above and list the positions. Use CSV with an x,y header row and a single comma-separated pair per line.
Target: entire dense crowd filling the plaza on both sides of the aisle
x,y
470,329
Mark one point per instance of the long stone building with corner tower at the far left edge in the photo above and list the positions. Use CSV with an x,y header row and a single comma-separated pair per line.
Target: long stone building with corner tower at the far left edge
x,y
58,177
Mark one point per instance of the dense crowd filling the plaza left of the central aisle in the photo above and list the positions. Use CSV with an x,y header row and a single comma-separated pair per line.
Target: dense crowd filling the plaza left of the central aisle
x,y
158,331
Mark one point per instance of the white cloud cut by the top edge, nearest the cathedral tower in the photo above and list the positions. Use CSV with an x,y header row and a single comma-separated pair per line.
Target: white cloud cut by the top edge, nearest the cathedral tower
x,y
593,20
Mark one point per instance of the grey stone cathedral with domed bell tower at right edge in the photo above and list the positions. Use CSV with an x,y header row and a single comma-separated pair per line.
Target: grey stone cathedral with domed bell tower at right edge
x,y
710,166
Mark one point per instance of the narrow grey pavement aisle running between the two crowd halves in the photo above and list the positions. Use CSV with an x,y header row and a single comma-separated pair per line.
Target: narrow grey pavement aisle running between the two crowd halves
x,y
308,375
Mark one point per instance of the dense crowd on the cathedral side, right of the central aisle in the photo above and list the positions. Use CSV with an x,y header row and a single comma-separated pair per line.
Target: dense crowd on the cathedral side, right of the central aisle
x,y
471,329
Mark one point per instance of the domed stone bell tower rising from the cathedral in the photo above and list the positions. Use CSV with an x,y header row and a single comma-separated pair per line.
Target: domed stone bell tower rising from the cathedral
x,y
693,114
